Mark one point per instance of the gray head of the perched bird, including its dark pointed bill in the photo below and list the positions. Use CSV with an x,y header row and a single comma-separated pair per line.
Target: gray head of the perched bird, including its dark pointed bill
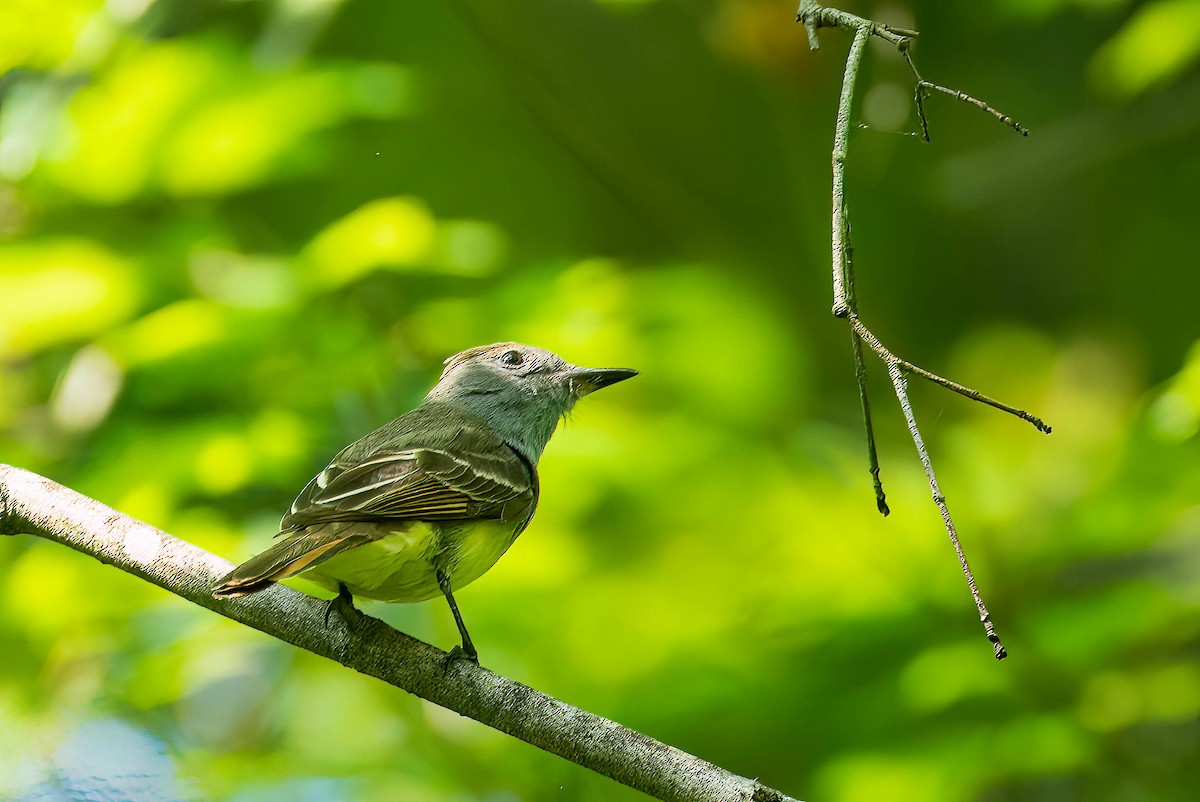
x,y
520,391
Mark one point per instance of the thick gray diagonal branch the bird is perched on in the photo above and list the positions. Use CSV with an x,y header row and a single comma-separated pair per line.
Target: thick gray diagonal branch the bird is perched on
x,y
33,505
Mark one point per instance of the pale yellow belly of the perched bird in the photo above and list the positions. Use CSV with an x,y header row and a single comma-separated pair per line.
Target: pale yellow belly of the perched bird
x,y
403,566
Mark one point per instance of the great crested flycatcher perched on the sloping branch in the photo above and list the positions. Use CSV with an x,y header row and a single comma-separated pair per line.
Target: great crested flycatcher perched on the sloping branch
x,y
429,502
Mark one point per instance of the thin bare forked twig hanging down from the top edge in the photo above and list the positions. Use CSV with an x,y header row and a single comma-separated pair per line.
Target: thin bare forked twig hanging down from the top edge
x,y
845,304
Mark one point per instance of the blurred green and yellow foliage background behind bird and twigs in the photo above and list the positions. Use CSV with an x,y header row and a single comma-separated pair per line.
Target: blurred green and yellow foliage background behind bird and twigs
x,y
236,236
